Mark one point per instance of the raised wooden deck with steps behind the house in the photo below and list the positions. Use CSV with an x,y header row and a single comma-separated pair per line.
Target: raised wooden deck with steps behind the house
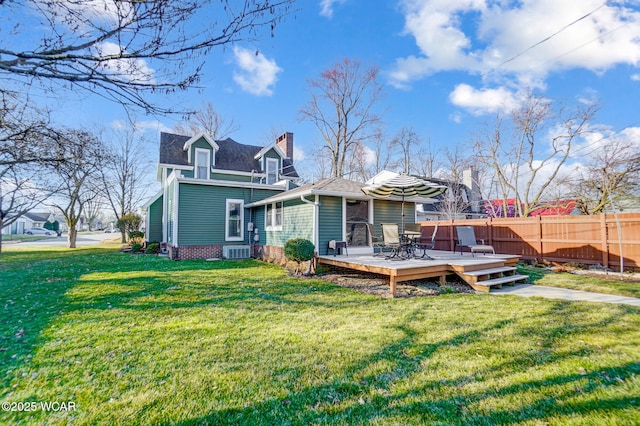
x,y
481,272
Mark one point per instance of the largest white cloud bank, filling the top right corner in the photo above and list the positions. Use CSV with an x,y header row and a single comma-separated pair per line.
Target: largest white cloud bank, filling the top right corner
x,y
493,38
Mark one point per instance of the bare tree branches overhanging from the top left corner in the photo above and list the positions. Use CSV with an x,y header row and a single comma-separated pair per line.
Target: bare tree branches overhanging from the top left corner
x,y
124,50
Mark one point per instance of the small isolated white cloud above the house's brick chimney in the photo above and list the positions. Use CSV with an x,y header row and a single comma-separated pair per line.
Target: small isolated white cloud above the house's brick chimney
x,y
257,74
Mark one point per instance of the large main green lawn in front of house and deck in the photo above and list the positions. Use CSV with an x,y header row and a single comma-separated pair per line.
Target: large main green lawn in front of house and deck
x,y
143,340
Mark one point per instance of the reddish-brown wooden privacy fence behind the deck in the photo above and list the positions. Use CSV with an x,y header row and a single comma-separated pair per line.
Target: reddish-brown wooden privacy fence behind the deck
x,y
585,239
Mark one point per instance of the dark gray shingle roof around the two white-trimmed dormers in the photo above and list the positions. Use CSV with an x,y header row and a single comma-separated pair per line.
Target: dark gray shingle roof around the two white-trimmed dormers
x,y
232,156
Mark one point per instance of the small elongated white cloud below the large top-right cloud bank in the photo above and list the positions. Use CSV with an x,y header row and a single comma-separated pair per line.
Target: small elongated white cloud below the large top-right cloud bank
x,y
484,101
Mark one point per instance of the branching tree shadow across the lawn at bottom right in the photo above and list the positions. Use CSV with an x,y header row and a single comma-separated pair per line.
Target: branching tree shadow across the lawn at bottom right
x,y
384,397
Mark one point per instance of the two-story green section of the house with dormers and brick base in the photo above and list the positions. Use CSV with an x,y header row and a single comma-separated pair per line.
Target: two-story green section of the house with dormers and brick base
x,y
206,184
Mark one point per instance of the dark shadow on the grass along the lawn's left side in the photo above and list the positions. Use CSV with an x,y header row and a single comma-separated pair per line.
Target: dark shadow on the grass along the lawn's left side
x,y
37,287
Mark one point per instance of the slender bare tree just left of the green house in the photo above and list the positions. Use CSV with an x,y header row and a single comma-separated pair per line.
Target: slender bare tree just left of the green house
x,y
123,171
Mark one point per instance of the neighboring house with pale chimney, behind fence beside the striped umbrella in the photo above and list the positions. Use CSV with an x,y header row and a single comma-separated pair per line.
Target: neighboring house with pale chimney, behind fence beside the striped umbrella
x,y
460,201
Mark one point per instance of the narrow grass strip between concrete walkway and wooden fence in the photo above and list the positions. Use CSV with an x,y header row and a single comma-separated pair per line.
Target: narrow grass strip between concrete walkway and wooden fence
x,y
610,285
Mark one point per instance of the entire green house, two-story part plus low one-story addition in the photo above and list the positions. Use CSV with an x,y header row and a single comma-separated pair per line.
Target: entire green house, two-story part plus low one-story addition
x,y
226,199
